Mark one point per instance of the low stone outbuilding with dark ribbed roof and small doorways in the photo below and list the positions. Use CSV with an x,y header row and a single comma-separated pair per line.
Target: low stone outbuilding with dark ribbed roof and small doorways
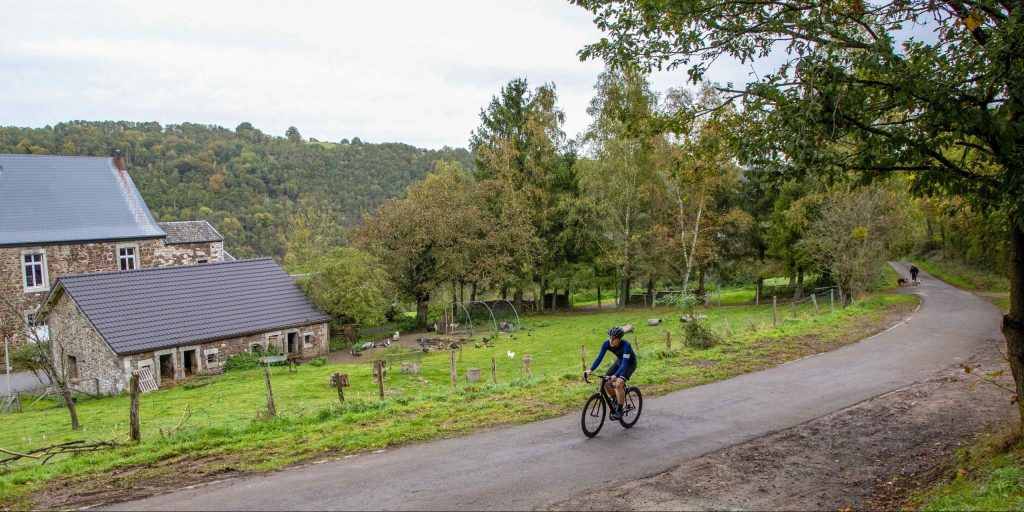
x,y
178,321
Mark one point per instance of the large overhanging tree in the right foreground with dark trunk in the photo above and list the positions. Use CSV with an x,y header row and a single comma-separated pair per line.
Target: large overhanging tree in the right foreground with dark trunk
x,y
855,95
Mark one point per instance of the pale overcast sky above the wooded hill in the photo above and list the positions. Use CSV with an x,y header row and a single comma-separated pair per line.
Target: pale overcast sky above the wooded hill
x,y
415,72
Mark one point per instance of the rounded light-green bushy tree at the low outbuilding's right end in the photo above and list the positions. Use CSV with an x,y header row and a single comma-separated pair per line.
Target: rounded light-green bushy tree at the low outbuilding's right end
x,y
351,286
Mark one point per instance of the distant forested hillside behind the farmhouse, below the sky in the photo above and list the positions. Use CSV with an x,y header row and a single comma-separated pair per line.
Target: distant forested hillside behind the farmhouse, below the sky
x,y
257,189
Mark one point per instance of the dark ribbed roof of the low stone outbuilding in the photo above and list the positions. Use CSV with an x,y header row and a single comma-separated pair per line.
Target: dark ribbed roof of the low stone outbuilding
x,y
155,309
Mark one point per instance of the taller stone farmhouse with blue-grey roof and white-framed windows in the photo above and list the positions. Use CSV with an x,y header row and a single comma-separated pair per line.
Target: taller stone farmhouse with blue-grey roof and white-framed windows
x,y
70,216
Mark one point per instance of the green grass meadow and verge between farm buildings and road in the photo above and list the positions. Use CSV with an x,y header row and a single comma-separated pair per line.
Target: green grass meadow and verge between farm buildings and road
x,y
221,430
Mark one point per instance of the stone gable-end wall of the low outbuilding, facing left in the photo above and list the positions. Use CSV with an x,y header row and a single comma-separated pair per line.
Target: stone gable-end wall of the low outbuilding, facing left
x,y
73,336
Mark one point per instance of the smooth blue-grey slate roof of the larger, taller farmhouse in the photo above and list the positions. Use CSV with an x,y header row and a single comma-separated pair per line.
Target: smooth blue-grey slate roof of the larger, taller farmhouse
x,y
48,199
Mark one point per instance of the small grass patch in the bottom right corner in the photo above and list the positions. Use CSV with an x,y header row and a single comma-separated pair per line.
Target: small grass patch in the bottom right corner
x,y
988,476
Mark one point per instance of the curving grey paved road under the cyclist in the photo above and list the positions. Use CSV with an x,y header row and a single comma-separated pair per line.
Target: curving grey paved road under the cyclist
x,y
534,465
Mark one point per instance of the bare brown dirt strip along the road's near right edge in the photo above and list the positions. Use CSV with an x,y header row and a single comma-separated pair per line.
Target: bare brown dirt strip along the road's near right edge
x,y
871,456
